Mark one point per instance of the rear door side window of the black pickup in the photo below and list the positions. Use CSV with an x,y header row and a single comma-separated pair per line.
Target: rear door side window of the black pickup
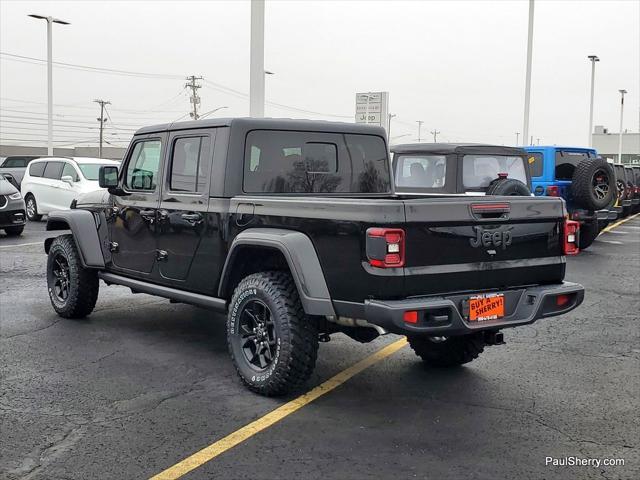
x,y
189,164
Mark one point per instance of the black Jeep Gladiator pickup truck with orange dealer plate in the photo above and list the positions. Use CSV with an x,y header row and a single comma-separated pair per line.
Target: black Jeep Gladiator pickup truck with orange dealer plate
x,y
292,228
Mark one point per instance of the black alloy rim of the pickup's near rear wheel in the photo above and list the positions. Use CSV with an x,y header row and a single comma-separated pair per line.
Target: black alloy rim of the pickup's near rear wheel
x,y
258,334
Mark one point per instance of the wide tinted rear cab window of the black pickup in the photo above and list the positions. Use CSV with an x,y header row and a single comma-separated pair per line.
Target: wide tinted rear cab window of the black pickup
x,y
314,162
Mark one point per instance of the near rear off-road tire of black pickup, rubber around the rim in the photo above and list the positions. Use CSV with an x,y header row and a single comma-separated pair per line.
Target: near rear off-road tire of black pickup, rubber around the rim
x,y
296,335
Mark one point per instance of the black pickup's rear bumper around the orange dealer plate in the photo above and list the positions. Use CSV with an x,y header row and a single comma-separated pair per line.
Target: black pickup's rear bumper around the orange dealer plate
x,y
442,316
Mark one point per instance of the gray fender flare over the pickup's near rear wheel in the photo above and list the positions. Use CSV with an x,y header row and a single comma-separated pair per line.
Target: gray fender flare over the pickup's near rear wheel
x,y
301,257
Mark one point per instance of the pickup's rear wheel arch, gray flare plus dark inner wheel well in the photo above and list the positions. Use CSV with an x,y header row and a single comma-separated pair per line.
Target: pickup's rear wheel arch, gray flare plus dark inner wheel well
x,y
261,249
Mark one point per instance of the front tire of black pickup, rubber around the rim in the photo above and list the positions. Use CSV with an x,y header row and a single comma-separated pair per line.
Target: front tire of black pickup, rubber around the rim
x,y
83,285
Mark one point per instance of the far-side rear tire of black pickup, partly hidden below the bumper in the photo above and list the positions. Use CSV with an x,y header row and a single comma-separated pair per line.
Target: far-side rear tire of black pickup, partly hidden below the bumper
x,y
449,352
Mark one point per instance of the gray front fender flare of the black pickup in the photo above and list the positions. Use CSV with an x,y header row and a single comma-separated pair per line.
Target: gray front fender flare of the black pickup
x,y
85,234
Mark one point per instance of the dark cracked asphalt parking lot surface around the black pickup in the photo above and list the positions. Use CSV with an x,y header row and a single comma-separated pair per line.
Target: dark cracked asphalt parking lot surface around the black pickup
x,y
143,383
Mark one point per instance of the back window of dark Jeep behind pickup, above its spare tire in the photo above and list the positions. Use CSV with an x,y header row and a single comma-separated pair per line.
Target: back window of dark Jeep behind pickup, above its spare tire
x,y
478,171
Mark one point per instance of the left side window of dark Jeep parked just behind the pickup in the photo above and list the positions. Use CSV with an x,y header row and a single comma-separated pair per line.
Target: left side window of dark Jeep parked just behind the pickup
x,y
421,171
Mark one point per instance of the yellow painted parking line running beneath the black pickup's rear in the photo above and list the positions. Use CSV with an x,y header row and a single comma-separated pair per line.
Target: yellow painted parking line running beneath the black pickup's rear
x,y
242,434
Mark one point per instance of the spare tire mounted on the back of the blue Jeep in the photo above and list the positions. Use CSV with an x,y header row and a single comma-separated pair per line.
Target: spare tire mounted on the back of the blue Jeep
x,y
593,184
